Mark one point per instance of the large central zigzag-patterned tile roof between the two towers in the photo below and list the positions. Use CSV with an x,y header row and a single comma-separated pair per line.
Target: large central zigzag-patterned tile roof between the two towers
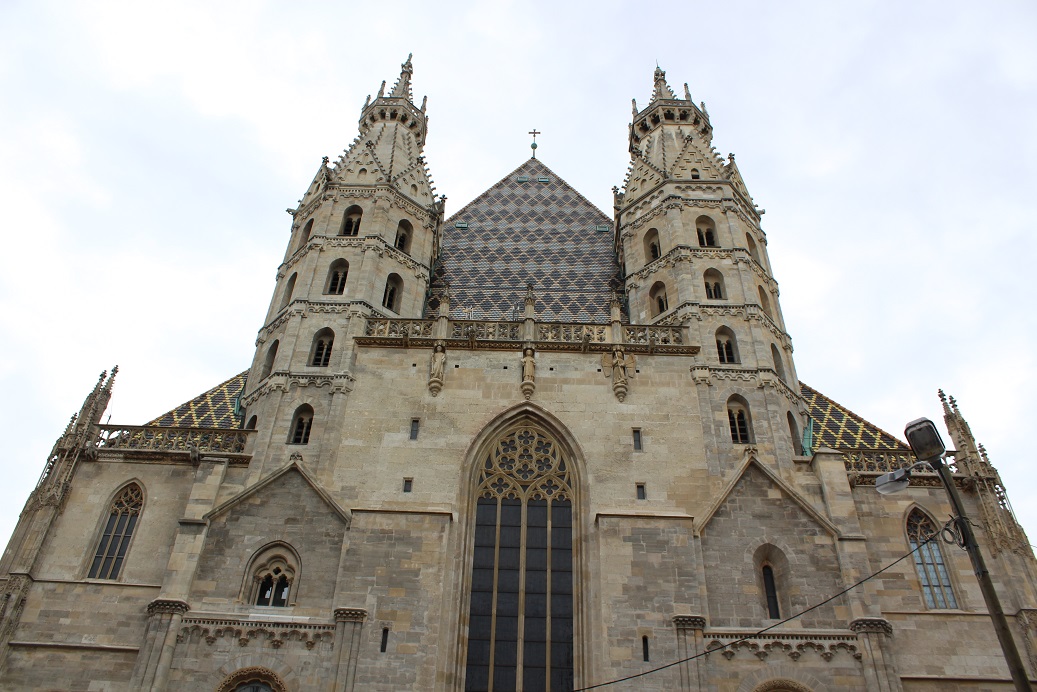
x,y
541,232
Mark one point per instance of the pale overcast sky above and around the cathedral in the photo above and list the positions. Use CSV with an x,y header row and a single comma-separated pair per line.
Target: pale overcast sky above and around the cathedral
x,y
149,151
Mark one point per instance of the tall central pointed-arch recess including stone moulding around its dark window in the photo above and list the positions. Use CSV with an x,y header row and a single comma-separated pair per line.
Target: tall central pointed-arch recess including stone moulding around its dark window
x,y
525,464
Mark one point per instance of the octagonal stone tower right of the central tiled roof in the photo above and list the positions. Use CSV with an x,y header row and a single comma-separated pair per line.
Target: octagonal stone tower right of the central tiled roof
x,y
693,253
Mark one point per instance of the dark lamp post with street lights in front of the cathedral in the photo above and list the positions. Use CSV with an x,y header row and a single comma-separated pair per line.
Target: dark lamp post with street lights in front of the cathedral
x,y
929,448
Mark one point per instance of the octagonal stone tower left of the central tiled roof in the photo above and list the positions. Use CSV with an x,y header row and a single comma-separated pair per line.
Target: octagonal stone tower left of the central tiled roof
x,y
363,240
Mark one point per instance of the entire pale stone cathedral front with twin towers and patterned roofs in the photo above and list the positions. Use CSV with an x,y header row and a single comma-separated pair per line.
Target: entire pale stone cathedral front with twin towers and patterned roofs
x,y
527,447
